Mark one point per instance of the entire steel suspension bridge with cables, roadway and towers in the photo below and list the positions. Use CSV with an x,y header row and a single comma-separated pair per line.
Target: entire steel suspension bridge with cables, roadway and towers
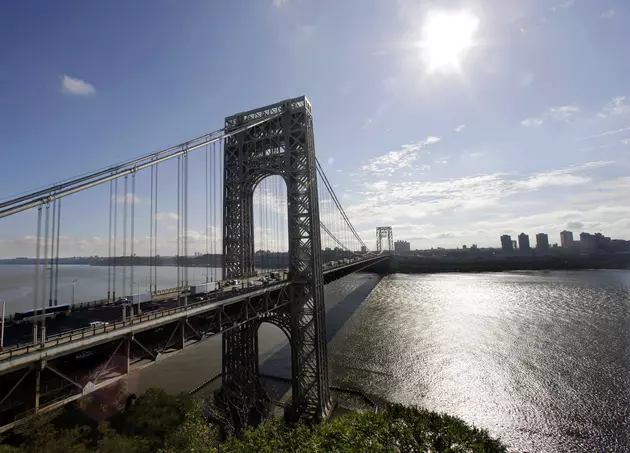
x,y
244,203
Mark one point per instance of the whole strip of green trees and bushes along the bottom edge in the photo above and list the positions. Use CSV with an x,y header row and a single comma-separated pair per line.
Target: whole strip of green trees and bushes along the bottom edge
x,y
161,423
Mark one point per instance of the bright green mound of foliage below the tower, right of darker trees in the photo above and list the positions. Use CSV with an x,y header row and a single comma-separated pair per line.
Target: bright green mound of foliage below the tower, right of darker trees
x,y
396,429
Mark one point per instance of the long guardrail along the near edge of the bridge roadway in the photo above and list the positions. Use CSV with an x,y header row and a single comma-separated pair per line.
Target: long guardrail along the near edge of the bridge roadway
x,y
81,333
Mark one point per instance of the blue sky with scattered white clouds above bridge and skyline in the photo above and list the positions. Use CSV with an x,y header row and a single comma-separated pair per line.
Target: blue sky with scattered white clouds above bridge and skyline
x,y
530,132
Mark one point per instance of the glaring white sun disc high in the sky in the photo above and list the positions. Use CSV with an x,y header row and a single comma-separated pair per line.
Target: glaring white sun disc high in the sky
x,y
446,38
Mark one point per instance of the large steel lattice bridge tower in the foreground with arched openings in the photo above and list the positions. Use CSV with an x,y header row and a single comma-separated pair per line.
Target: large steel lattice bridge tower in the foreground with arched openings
x,y
284,146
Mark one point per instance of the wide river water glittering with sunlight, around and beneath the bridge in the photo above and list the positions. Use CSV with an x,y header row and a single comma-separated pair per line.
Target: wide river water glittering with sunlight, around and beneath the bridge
x,y
540,359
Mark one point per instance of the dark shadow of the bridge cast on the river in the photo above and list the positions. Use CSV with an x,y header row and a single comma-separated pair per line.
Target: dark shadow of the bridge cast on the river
x,y
343,307
